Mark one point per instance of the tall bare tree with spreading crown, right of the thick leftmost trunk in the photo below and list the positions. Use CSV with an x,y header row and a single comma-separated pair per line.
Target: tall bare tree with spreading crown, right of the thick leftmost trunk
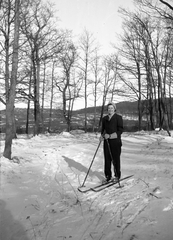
x,y
44,41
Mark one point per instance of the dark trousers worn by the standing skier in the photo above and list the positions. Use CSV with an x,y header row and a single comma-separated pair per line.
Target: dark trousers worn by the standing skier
x,y
115,149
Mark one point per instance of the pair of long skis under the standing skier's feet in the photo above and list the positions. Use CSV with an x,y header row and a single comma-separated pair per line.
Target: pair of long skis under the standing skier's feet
x,y
102,186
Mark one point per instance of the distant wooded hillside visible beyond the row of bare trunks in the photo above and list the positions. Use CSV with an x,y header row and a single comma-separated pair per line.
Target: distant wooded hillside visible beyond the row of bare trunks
x,y
58,123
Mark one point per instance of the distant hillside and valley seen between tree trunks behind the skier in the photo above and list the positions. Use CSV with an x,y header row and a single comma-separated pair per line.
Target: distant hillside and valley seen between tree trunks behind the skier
x,y
58,124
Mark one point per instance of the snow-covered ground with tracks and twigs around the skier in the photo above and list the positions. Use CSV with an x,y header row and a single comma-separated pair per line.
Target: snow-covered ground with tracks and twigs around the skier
x,y
40,200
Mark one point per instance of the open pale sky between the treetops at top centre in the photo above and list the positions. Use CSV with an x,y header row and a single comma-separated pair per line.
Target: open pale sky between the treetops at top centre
x,y
99,17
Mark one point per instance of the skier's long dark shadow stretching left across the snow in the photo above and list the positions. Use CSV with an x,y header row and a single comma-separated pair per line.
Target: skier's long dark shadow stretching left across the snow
x,y
78,166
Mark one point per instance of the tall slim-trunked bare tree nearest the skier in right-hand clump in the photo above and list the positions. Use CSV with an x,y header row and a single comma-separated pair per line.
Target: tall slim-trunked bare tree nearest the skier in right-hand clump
x,y
131,52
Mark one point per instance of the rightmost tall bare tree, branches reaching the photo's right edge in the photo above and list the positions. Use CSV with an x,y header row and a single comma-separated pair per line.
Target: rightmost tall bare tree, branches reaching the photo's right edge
x,y
161,51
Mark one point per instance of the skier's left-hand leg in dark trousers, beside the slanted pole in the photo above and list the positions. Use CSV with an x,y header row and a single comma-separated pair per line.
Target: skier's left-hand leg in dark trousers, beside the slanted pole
x,y
107,163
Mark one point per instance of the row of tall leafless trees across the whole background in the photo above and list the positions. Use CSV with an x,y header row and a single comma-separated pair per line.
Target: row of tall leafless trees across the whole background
x,y
42,66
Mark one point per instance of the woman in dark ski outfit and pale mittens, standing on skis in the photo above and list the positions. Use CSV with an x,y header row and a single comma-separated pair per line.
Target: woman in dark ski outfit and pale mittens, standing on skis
x,y
112,128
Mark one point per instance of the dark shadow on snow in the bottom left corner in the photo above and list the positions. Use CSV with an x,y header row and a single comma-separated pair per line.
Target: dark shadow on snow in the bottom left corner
x,y
10,229
